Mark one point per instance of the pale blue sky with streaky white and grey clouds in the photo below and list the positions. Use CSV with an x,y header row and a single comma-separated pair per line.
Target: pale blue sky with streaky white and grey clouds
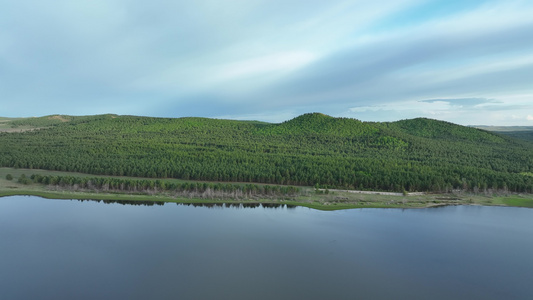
x,y
468,62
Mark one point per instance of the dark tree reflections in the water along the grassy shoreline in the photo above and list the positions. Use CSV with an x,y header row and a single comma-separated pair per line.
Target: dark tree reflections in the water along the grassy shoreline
x,y
208,205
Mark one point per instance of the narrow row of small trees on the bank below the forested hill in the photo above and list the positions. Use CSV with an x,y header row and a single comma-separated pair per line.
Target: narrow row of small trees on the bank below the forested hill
x,y
186,189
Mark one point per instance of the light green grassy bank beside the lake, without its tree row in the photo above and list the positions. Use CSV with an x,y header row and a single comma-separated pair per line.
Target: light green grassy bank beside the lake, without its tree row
x,y
307,198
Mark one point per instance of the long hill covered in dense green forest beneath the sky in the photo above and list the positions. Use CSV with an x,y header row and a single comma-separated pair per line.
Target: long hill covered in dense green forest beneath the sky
x,y
413,155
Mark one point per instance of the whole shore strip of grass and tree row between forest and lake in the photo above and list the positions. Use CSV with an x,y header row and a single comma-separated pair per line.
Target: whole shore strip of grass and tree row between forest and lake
x,y
64,185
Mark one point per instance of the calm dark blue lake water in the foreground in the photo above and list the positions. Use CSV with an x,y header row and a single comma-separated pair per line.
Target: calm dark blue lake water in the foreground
x,y
67,249
